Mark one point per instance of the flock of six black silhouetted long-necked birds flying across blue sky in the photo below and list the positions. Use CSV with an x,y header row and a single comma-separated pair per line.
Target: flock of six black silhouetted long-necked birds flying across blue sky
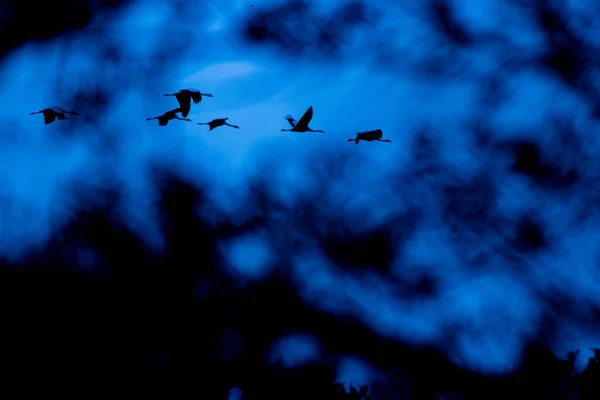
x,y
185,97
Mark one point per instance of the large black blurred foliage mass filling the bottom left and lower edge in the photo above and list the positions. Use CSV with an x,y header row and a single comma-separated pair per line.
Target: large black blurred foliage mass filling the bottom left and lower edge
x,y
136,321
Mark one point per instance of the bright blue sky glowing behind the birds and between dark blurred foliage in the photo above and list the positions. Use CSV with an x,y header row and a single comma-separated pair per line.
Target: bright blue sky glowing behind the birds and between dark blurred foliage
x,y
255,87
